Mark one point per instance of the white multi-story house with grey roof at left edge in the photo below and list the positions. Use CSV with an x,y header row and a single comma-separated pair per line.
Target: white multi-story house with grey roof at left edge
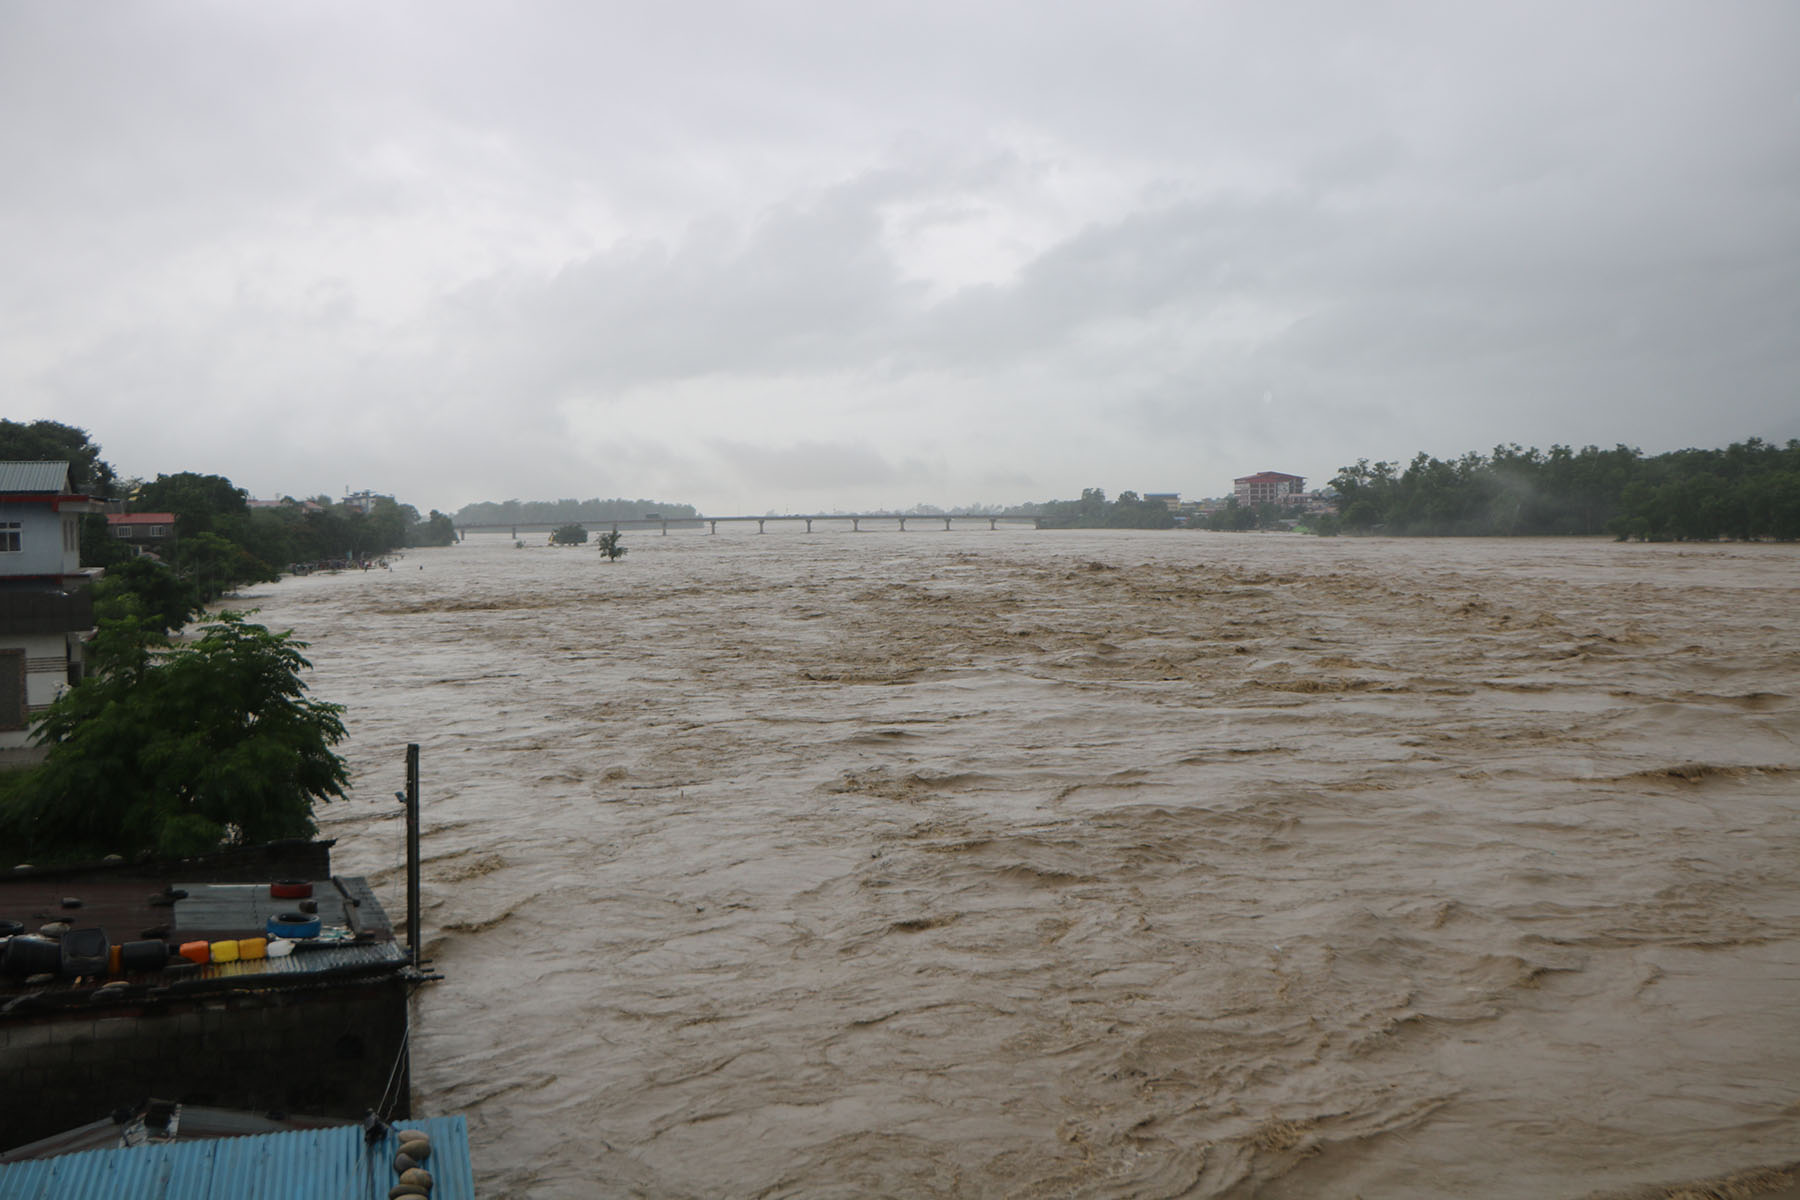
x,y
46,609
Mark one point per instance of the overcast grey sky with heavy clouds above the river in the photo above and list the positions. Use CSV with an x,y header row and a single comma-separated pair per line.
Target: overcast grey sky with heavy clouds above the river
x,y
825,255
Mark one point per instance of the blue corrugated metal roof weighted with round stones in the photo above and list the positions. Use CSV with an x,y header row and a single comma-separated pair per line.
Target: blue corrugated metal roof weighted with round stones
x,y
305,1165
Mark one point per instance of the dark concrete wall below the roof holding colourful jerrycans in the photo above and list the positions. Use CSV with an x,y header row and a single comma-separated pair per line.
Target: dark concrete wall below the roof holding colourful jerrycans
x,y
314,1052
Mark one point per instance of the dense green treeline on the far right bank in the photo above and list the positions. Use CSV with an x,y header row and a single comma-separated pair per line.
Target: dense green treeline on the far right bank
x,y
1749,490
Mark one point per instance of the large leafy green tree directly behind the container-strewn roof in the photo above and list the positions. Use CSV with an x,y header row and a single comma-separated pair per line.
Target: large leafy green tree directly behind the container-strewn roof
x,y
179,749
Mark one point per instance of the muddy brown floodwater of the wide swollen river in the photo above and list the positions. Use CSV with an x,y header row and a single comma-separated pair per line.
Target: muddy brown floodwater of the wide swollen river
x,y
1088,864
